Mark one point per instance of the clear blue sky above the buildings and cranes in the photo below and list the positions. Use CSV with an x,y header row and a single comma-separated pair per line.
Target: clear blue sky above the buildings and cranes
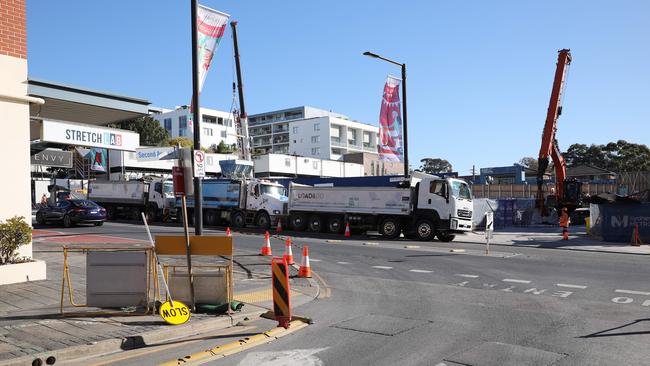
x,y
479,72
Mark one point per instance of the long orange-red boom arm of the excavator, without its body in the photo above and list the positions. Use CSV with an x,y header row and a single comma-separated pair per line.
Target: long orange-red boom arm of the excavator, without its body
x,y
550,146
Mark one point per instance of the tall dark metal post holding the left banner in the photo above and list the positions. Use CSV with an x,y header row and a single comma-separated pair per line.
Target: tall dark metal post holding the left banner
x,y
196,116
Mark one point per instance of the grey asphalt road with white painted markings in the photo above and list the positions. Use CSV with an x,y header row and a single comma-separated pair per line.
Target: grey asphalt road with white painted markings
x,y
412,303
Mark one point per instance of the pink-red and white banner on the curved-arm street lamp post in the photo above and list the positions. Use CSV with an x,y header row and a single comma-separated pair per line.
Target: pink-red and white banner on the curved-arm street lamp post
x,y
391,146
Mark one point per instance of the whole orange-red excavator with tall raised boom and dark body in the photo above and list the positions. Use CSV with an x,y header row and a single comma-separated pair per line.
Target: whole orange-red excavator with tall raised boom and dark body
x,y
567,191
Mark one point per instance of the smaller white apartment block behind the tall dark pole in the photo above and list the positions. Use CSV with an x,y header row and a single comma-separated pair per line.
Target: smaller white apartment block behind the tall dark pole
x,y
216,126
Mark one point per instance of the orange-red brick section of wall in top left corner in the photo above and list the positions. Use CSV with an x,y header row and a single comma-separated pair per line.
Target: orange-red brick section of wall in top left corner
x,y
13,28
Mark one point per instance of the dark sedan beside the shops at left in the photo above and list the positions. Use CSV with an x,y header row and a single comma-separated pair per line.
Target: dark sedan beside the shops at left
x,y
71,212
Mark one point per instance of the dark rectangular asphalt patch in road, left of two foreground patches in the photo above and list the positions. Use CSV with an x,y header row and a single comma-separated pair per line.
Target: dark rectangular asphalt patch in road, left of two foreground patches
x,y
380,324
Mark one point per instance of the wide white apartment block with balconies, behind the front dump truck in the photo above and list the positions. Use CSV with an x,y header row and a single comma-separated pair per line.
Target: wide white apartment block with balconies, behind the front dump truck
x,y
310,132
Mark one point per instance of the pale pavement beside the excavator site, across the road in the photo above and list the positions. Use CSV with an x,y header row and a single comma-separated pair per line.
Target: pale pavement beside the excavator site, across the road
x,y
551,237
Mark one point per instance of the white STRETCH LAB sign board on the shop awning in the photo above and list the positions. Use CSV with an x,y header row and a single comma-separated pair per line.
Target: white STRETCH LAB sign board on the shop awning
x,y
85,135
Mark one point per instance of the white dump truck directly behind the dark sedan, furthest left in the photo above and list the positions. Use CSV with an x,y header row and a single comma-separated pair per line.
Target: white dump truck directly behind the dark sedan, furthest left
x,y
151,195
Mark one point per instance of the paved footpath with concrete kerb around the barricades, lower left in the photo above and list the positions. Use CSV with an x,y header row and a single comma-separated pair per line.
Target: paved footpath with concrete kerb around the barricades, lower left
x,y
31,325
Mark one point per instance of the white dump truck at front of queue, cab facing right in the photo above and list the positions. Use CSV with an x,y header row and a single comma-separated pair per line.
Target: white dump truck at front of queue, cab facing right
x,y
427,207
